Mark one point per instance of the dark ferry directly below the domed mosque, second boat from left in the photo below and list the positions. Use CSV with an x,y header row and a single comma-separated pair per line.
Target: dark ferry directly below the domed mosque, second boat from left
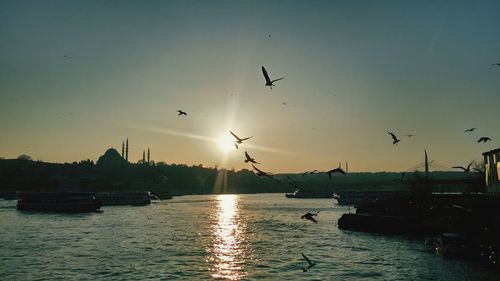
x,y
135,198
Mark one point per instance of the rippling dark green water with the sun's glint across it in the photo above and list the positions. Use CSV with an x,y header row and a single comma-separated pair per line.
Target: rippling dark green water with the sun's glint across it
x,y
226,237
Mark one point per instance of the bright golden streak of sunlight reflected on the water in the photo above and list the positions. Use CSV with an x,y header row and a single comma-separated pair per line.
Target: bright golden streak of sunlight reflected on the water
x,y
228,251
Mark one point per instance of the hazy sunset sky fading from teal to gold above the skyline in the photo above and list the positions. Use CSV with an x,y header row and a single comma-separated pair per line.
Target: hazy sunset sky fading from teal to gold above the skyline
x,y
79,77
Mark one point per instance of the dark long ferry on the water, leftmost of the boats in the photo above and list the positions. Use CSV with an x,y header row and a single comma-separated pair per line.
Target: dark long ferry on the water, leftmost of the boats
x,y
67,202
